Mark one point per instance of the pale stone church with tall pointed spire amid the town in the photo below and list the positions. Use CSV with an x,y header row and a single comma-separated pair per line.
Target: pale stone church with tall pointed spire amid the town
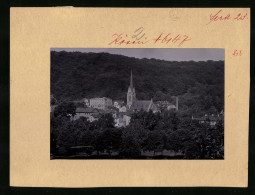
x,y
135,105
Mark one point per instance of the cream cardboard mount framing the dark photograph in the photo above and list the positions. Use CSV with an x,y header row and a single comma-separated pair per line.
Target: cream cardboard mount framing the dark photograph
x,y
34,31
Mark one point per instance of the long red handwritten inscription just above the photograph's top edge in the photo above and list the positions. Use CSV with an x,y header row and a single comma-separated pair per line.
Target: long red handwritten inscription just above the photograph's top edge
x,y
162,38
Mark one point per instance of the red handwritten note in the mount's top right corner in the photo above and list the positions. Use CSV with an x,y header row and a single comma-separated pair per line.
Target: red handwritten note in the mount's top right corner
x,y
221,16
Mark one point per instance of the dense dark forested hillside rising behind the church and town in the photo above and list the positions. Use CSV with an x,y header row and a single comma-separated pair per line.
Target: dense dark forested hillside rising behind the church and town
x,y
199,85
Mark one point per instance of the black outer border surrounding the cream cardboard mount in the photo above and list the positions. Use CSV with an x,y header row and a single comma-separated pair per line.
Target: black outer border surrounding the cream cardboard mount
x,y
5,95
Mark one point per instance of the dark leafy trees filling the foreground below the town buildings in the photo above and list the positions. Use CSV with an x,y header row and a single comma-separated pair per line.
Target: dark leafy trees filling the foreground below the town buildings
x,y
147,131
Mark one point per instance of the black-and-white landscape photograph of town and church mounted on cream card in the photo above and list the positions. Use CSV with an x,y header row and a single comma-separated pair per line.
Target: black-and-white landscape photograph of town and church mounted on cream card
x,y
148,103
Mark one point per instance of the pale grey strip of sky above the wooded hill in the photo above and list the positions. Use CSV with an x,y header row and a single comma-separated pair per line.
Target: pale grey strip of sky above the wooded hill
x,y
169,54
